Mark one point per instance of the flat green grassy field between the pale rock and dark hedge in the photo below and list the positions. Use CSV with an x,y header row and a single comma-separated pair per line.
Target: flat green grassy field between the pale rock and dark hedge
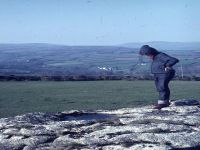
x,y
22,97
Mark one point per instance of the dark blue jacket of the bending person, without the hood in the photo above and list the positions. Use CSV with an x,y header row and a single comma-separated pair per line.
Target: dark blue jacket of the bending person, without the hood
x,y
162,60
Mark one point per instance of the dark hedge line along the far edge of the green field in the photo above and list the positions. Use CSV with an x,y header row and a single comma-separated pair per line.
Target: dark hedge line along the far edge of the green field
x,y
88,78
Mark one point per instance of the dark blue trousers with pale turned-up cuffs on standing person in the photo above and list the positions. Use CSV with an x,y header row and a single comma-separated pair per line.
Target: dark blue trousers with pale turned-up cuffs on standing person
x,y
161,81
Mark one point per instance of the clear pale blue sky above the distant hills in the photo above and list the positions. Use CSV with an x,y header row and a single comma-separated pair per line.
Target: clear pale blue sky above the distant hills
x,y
98,22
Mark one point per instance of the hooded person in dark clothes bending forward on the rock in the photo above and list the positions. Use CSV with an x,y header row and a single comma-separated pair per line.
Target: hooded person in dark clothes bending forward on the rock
x,y
163,72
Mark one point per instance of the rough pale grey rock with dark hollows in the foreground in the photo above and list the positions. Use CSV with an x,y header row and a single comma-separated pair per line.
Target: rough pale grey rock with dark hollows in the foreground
x,y
175,127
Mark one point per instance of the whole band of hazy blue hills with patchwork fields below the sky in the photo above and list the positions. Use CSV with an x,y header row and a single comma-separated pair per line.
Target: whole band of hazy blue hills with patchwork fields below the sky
x,y
51,59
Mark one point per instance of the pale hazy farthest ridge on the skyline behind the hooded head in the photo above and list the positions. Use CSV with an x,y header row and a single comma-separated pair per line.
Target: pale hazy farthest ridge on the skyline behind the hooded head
x,y
162,45
